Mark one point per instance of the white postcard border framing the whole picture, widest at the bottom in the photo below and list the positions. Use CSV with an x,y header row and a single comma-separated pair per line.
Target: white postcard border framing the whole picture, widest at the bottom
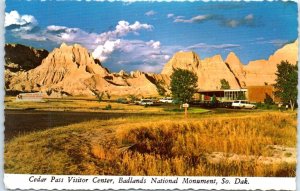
x,y
21,181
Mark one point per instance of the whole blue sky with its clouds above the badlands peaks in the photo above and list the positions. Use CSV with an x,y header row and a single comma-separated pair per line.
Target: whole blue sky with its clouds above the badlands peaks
x,y
145,35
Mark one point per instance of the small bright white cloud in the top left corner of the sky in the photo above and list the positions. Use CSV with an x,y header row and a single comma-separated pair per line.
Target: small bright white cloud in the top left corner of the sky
x,y
20,22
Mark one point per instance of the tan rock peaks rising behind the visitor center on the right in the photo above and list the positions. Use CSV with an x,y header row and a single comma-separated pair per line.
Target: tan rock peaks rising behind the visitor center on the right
x,y
211,70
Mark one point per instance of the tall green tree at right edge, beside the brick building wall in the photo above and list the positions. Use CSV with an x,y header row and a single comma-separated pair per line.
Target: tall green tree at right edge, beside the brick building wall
x,y
286,83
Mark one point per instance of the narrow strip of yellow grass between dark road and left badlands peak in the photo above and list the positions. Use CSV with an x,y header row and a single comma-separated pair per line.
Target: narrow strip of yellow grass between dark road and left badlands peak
x,y
92,105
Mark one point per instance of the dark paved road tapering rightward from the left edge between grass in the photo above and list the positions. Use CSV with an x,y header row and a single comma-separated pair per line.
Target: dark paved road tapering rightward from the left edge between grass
x,y
18,122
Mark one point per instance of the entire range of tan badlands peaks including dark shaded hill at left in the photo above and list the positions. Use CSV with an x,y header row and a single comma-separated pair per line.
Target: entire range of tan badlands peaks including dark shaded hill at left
x,y
72,70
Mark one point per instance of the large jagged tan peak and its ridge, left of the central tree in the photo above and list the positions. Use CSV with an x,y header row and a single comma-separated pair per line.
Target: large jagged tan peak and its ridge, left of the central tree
x,y
73,71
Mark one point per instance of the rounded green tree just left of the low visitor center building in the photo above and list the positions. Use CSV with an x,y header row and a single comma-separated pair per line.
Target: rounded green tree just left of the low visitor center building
x,y
183,85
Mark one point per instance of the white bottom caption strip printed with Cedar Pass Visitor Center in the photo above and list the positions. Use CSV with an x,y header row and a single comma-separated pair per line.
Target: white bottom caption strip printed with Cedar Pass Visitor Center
x,y
72,182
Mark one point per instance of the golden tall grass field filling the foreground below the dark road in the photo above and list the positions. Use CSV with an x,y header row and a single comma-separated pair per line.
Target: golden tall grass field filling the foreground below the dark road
x,y
252,143
